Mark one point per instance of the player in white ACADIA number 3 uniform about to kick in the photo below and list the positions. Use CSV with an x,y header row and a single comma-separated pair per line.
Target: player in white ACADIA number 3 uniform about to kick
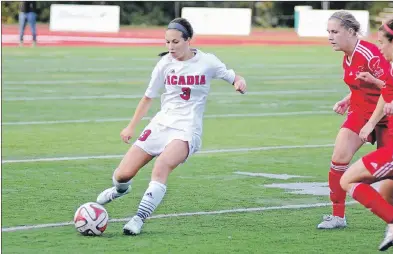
x,y
175,131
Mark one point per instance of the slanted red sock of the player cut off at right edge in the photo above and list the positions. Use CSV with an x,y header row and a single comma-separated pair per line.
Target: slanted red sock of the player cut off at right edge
x,y
371,199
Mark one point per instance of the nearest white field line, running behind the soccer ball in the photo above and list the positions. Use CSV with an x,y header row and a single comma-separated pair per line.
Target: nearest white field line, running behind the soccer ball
x,y
160,216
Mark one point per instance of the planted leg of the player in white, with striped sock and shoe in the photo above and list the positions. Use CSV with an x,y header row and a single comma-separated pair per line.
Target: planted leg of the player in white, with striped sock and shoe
x,y
175,153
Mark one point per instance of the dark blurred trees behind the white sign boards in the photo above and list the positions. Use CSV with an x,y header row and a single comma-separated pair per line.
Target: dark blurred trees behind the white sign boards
x,y
265,14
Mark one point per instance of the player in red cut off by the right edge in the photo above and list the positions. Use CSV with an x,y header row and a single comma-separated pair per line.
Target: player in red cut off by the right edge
x,y
377,165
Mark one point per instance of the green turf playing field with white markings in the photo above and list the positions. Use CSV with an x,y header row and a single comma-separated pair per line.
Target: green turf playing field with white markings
x,y
68,106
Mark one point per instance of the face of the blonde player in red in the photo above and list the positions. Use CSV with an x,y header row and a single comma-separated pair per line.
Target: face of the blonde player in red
x,y
338,35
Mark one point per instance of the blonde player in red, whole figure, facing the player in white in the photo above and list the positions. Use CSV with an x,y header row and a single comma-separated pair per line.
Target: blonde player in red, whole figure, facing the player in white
x,y
359,56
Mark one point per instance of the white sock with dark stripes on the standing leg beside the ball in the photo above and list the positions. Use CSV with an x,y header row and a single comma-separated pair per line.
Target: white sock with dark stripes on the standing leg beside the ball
x,y
151,199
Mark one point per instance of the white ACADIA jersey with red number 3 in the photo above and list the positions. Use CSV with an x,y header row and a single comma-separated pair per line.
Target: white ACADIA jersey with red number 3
x,y
187,84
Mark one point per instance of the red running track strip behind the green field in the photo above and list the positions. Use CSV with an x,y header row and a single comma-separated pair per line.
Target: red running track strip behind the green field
x,y
150,37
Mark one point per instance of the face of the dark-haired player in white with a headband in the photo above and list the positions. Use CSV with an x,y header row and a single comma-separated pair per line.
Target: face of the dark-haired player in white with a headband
x,y
176,44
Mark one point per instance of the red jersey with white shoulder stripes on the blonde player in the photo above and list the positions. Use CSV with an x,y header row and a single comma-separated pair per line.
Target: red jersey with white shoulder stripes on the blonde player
x,y
364,96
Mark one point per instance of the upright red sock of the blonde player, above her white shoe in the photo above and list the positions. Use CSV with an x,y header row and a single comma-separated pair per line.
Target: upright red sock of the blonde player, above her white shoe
x,y
337,194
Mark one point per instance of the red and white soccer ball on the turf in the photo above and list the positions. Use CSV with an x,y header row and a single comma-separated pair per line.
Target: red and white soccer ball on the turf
x,y
91,219
